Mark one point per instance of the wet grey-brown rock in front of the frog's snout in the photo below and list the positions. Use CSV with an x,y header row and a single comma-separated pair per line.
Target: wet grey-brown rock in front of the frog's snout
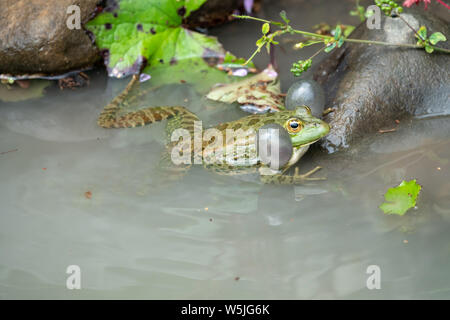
x,y
369,87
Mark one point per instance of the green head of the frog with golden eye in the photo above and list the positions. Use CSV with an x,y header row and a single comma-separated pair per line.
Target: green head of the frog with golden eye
x,y
304,128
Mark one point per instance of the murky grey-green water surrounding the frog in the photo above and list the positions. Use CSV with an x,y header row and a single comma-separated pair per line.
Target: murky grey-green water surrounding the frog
x,y
210,236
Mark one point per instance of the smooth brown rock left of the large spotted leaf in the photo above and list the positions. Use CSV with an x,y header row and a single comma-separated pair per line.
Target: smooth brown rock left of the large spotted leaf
x,y
35,40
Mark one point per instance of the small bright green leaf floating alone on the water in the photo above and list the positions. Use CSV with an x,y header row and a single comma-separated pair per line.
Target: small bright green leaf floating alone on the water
x,y
402,198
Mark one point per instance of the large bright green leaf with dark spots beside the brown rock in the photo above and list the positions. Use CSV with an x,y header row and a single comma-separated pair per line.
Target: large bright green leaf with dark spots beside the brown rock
x,y
147,33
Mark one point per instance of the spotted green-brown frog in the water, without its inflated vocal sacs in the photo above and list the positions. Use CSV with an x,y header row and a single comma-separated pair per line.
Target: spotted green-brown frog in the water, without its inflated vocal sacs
x,y
303,129
